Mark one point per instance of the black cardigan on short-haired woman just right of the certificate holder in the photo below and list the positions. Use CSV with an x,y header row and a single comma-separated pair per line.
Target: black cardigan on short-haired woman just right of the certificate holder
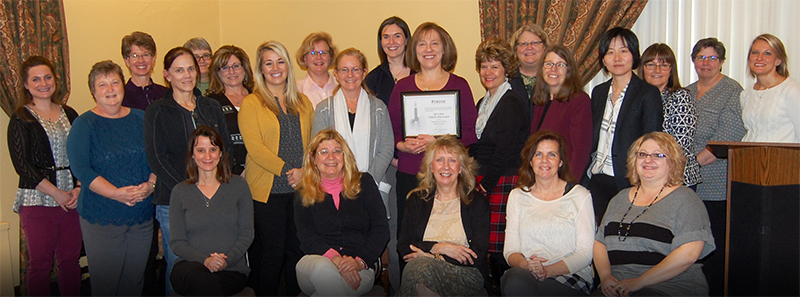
x,y
497,151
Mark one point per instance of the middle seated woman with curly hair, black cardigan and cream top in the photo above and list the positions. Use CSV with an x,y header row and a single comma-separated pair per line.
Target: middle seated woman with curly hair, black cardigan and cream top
x,y
446,231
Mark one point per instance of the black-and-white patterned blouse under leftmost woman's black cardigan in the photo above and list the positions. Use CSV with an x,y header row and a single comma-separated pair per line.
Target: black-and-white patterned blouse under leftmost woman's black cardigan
x,y
57,132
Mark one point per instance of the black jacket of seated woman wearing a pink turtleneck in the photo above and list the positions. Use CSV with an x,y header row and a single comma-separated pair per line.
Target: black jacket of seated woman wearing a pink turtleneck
x,y
358,228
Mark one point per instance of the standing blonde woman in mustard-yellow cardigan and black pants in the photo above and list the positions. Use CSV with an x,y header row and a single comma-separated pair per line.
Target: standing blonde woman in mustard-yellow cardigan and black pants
x,y
275,122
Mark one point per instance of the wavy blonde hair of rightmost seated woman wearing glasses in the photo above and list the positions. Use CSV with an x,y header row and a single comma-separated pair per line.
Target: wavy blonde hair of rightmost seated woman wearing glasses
x,y
676,160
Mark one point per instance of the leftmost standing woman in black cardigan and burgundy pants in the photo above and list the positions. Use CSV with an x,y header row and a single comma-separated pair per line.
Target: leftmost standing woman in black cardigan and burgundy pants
x,y
48,192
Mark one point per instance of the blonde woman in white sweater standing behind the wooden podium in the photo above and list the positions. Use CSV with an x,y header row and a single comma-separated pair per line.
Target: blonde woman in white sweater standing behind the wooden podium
x,y
771,108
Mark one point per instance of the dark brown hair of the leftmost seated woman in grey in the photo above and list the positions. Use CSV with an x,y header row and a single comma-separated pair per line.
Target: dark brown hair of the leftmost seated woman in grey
x,y
223,167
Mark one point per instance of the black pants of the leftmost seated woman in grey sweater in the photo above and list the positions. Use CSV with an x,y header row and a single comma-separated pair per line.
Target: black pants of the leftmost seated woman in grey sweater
x,y
194,279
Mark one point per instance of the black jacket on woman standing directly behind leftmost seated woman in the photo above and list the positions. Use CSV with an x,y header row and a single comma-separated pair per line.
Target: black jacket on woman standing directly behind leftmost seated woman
x,y
166,139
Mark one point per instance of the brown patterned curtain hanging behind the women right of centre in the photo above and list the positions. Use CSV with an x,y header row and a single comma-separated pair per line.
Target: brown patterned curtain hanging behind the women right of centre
x,y
577,24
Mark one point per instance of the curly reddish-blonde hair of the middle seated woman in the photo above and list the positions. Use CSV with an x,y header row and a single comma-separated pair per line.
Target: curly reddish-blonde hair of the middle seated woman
x,y
466,174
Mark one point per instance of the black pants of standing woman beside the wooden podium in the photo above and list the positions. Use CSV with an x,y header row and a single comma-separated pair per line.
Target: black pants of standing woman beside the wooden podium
x,y
714,264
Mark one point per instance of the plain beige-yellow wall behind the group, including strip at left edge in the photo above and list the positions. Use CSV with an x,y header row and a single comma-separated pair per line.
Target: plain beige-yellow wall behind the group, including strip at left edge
x,y
95,29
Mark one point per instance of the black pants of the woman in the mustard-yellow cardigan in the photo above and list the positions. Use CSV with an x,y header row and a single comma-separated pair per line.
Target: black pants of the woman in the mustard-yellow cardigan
x,y
275,249
